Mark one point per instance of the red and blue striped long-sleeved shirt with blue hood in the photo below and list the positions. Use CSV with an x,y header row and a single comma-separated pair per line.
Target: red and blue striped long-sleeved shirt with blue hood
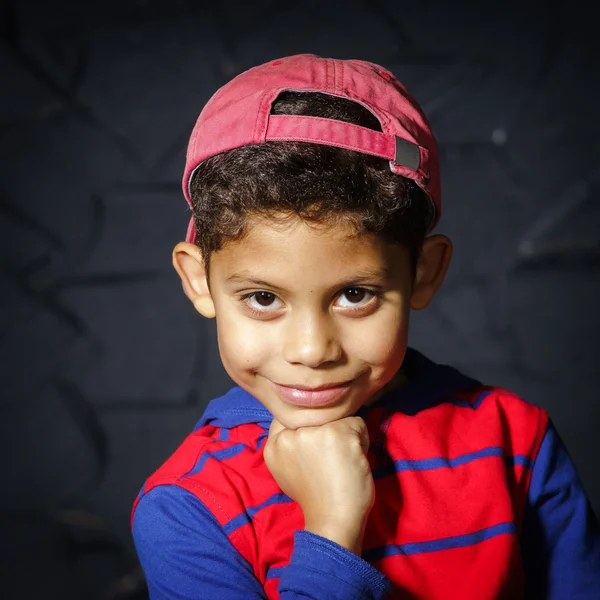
x,y
476,498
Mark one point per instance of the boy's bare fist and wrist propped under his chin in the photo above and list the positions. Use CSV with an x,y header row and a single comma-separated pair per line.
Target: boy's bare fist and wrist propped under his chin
x,y
325,470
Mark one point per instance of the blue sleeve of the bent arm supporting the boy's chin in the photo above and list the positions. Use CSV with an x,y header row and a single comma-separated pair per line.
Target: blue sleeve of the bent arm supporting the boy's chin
x,y
186,555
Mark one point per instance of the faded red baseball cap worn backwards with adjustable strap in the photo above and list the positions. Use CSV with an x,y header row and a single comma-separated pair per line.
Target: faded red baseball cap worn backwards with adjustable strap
x,y
239,114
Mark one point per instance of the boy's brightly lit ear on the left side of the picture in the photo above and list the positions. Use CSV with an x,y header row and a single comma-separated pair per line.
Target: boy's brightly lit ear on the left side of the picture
x,y
189,264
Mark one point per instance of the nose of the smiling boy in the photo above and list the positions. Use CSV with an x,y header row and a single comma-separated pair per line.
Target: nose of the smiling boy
x,y
311,340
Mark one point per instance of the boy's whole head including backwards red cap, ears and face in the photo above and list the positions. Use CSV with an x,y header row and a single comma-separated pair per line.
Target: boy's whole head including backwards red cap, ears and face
x,y
313,184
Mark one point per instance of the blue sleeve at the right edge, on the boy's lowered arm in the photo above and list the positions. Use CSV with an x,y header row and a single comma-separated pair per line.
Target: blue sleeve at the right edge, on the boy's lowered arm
x,y
561,537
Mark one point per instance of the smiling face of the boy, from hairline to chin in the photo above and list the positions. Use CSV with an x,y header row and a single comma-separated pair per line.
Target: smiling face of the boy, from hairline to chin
x,y
307,306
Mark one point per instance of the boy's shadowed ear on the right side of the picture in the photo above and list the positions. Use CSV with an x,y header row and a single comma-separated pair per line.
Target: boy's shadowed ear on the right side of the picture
x,y
431,269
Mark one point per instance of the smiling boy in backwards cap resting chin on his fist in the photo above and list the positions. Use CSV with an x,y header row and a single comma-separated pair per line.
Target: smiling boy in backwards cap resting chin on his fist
x,y
344,465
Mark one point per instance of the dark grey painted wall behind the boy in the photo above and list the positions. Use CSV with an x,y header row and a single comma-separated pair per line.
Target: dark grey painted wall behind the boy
x,y
105,366
